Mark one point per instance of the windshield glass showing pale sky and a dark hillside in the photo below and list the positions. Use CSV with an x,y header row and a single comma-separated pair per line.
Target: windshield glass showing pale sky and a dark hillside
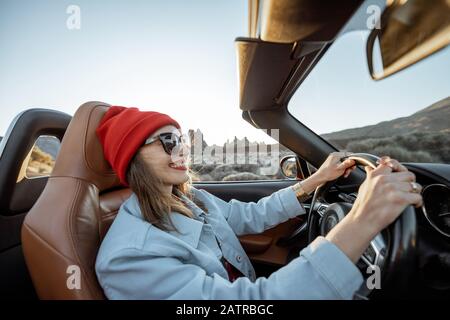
x,y
406,116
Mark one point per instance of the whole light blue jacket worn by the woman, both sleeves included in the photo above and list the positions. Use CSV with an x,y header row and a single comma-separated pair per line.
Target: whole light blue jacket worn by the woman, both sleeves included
x,y
139,261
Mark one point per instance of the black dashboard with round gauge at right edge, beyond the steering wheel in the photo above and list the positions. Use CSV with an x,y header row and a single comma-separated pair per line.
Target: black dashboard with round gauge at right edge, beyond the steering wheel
x,y
433,234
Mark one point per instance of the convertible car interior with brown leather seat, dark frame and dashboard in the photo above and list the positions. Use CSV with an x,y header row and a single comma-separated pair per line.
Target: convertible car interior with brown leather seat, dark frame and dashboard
x,y
50,223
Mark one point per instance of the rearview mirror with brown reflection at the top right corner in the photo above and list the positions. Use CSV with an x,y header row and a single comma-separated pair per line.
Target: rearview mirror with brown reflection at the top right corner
x,y
409,32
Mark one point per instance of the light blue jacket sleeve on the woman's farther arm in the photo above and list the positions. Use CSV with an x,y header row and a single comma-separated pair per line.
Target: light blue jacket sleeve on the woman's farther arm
x,y
253,218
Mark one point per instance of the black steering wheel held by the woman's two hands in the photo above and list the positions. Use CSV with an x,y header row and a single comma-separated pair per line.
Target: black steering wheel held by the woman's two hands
x,y
392,250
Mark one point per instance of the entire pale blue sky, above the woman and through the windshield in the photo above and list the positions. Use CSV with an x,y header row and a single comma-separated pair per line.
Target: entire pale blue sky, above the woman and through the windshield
x,y
179,57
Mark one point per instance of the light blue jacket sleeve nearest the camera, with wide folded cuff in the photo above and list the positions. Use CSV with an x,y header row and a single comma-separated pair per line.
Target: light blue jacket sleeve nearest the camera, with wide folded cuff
x,y
321,271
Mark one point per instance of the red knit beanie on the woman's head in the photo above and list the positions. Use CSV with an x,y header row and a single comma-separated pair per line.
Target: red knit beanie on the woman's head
x,y
122,131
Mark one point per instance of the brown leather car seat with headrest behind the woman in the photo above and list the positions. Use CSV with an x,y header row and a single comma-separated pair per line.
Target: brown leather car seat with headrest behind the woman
x,y
67,223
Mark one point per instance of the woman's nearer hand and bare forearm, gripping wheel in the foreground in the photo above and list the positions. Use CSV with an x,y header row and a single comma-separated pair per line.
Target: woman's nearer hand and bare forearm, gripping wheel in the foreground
x,y
386,192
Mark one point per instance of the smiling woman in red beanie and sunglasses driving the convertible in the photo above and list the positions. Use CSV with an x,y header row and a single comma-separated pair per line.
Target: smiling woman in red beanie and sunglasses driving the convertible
x,y
172,241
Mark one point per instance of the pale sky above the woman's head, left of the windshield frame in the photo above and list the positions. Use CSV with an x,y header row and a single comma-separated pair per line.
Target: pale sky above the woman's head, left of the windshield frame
x,y
176,57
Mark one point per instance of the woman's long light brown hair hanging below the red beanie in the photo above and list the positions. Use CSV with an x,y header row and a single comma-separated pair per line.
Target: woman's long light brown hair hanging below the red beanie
x,y
156,205
